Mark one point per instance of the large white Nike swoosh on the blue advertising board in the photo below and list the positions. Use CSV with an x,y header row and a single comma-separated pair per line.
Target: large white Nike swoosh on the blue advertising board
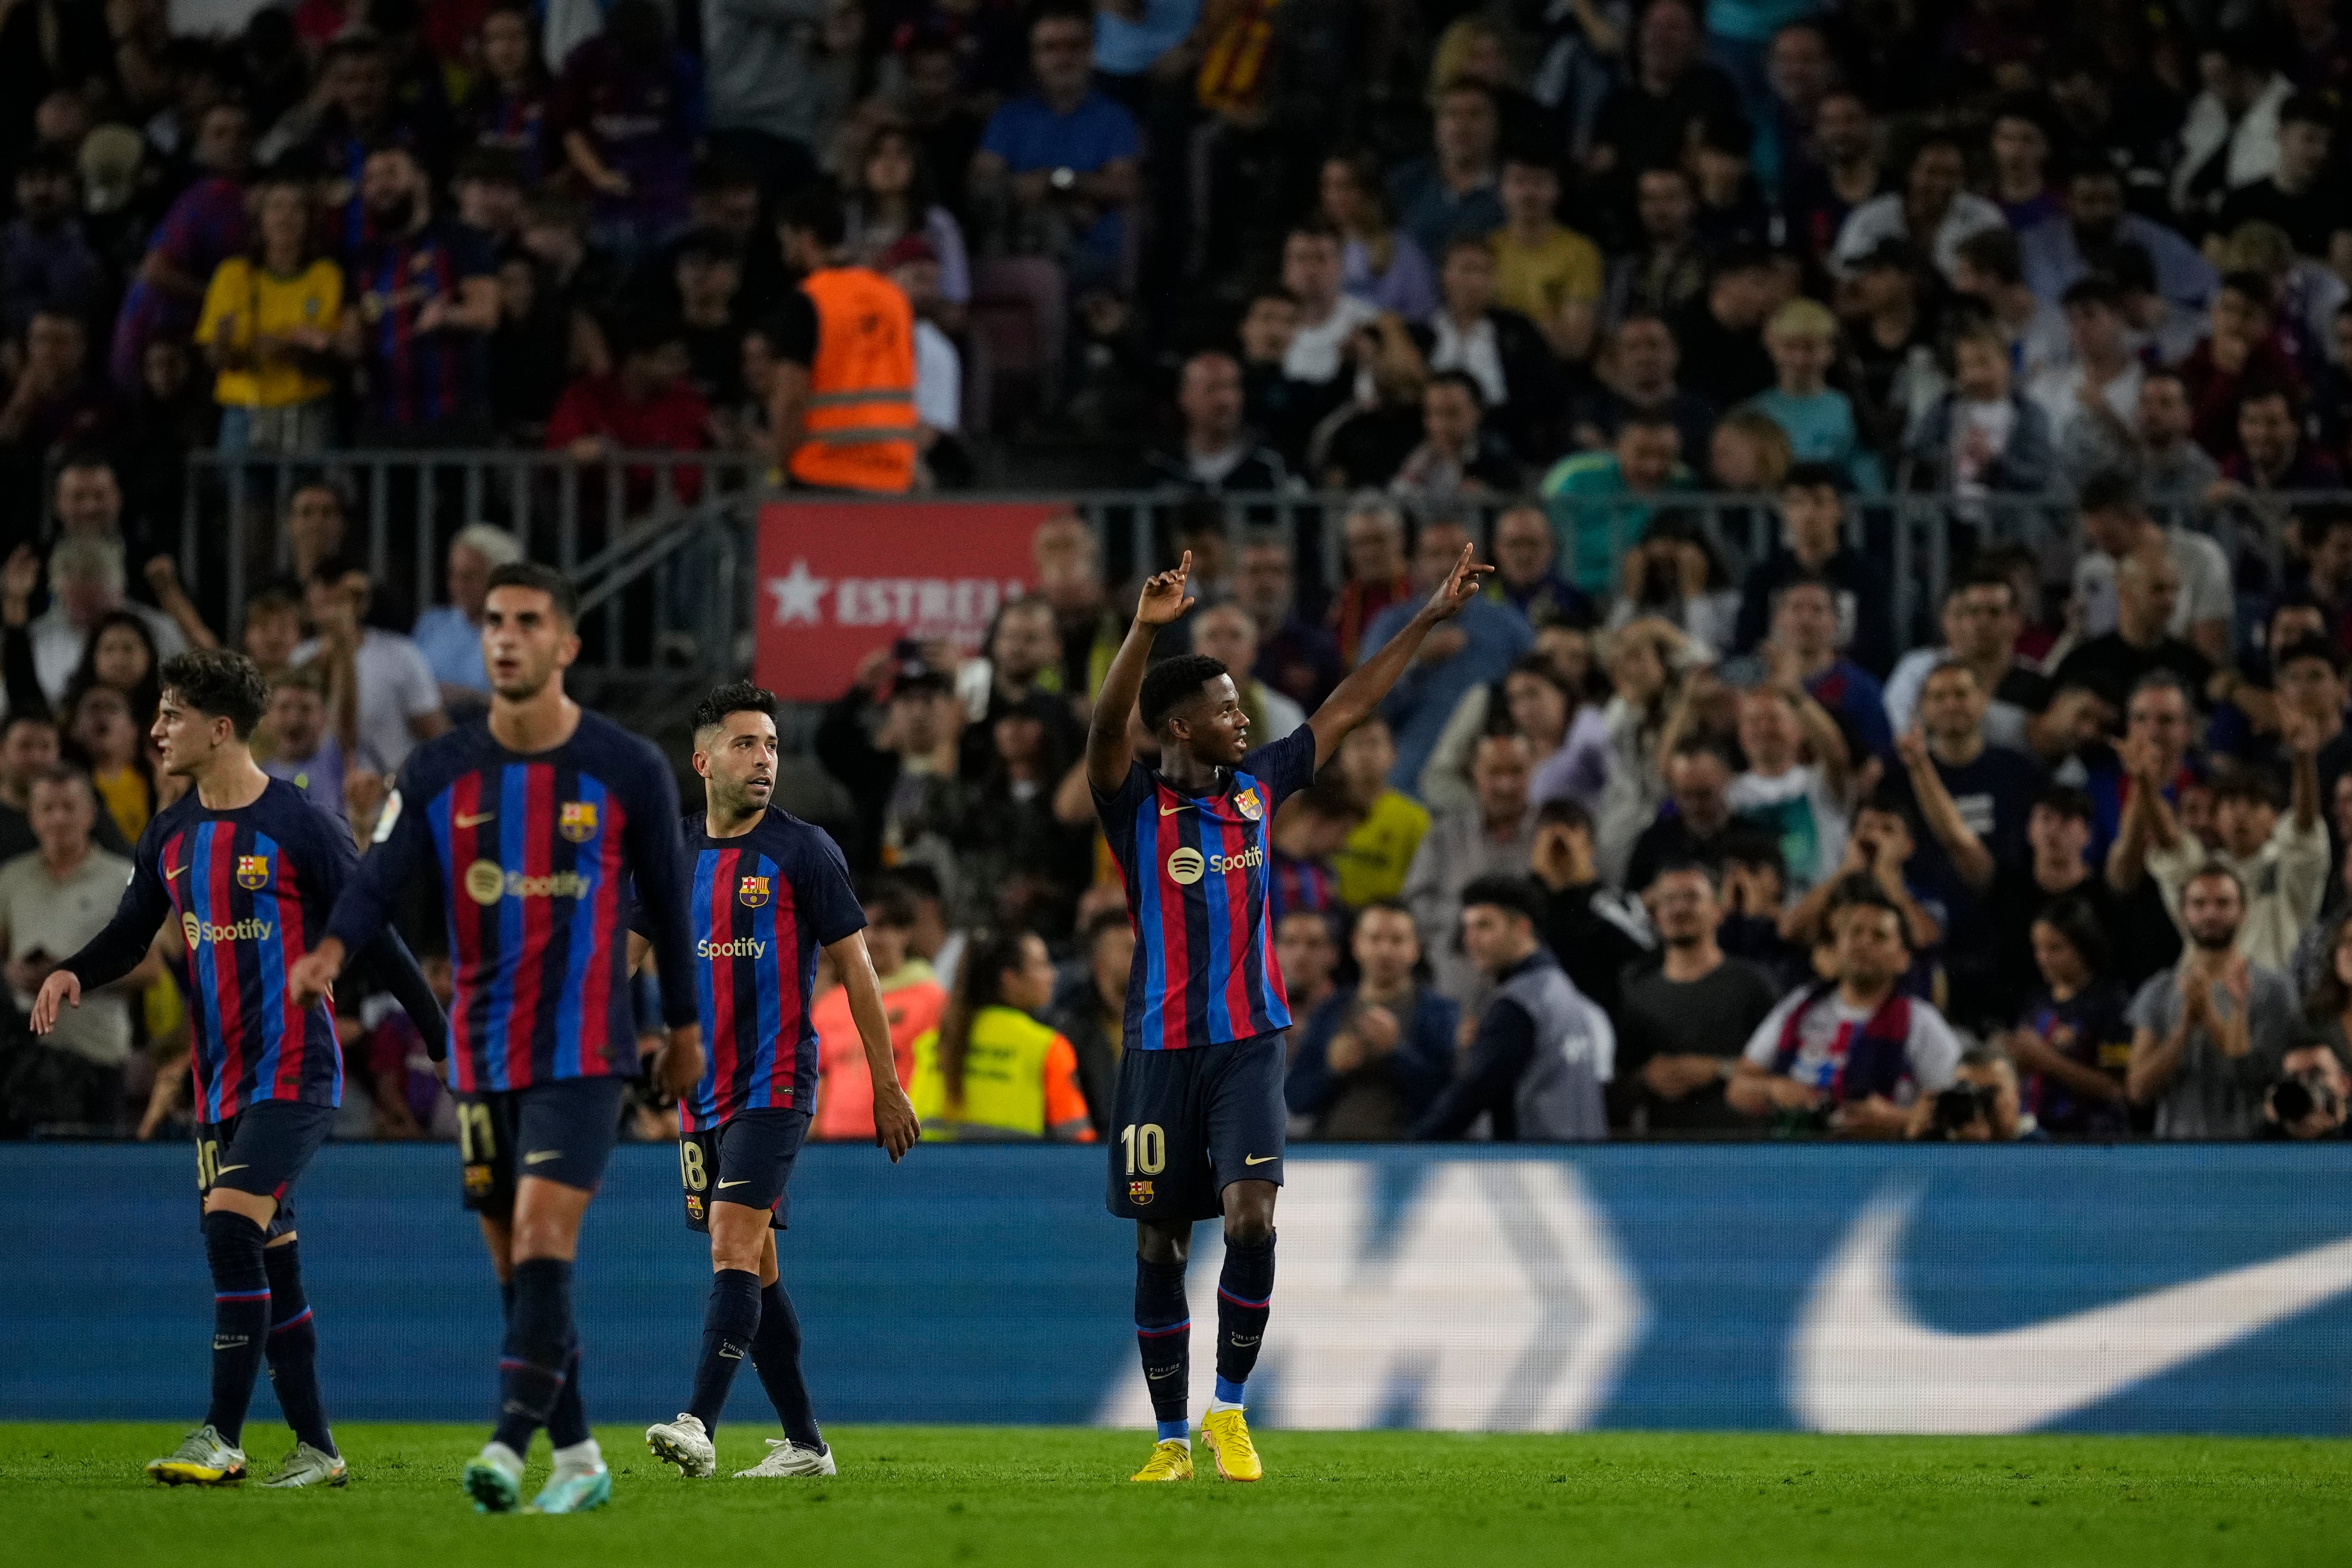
x,y
1864,1362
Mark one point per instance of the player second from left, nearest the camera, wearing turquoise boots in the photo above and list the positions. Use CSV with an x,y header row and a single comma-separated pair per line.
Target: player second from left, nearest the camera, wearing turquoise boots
x,y
533,824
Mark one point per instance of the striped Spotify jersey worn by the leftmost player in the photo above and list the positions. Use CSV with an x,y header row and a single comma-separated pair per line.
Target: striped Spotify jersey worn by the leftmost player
x,y
250,892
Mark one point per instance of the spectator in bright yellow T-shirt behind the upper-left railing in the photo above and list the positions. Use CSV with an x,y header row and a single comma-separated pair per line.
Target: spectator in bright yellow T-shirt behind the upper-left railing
x,y
272,328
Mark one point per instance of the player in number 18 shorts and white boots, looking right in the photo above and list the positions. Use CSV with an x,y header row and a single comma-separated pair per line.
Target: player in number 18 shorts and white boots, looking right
x,y
766,894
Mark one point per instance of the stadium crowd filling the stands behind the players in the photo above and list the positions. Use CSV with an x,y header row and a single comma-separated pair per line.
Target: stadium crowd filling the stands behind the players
x,y
1514,272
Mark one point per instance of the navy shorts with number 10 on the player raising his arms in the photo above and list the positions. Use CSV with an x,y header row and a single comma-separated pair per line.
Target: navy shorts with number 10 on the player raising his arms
x,y
1191,1123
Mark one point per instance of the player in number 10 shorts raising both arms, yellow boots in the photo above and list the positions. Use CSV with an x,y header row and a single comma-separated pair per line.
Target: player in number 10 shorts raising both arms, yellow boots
x,y
1198,1125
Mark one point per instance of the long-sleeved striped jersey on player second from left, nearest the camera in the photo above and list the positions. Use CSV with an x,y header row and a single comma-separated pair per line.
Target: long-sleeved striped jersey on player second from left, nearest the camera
x,y
533,859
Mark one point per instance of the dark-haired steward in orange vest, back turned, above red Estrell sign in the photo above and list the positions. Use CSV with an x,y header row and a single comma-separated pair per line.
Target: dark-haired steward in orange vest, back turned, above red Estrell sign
x,y
853,424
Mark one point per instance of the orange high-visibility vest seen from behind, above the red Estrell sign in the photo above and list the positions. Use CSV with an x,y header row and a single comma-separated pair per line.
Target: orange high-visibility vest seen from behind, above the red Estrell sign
x,y
862,391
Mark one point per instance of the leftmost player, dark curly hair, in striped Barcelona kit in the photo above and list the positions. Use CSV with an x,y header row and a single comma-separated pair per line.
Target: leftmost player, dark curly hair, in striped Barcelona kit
x,y
253,869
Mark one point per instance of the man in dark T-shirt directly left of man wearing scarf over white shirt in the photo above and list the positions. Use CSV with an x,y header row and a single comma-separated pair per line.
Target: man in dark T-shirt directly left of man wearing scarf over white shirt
x,y
1683,1026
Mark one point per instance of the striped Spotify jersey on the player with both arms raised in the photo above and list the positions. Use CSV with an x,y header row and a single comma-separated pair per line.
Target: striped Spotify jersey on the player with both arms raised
x,y
1198,894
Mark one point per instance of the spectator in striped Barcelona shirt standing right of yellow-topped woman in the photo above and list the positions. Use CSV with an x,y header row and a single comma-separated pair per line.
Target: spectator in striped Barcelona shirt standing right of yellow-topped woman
x,y
427,300
